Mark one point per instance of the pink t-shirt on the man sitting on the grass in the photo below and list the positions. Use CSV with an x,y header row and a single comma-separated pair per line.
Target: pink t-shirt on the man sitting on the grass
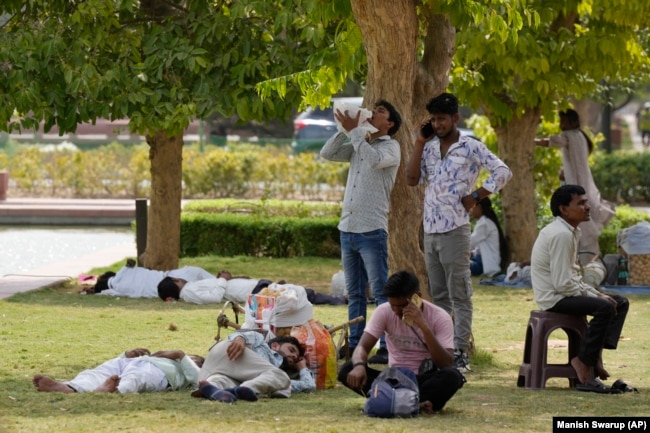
x,y
405,349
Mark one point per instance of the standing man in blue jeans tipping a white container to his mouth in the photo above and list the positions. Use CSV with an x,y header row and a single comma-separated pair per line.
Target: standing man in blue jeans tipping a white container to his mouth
x,y
374,159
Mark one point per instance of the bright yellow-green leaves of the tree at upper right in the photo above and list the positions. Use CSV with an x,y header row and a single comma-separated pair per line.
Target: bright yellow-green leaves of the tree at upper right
x,y
557,51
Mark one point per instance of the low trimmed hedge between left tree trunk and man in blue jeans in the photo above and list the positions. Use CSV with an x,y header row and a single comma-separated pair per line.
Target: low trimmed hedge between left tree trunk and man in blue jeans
x,y
236,234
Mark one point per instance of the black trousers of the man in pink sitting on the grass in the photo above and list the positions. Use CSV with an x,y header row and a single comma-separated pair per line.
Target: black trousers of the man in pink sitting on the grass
x,y
436,386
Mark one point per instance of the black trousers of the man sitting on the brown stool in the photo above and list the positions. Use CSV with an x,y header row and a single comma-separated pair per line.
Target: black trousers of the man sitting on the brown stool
x,y
605,327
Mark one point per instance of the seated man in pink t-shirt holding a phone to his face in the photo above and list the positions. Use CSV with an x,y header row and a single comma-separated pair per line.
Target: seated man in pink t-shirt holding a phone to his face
x,y
419,336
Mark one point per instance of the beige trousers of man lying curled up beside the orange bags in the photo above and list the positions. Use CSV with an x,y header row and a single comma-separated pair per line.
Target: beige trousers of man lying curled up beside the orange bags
x,y
251,370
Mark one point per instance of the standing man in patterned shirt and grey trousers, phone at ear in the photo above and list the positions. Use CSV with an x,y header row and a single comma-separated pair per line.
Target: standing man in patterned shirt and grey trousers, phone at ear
x,y
449,164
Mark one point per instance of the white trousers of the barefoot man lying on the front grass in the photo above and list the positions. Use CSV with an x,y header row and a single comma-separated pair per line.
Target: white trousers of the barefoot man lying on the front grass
x,y
136,375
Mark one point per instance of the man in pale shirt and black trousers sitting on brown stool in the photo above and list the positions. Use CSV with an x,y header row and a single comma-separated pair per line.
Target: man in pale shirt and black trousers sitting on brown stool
x,y
558,285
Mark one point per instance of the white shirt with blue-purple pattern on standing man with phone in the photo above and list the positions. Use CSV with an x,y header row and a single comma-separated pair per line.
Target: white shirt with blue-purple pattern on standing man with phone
x,y
450,178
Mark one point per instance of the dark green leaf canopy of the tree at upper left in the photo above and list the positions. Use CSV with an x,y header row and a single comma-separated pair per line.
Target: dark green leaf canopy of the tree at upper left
x,y
157,63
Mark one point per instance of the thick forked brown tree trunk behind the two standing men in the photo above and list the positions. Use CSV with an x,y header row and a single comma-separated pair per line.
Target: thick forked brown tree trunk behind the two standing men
x,y
395,75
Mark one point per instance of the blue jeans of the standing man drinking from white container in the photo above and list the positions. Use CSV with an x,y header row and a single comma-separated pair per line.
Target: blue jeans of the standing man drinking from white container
x,y
365,260
